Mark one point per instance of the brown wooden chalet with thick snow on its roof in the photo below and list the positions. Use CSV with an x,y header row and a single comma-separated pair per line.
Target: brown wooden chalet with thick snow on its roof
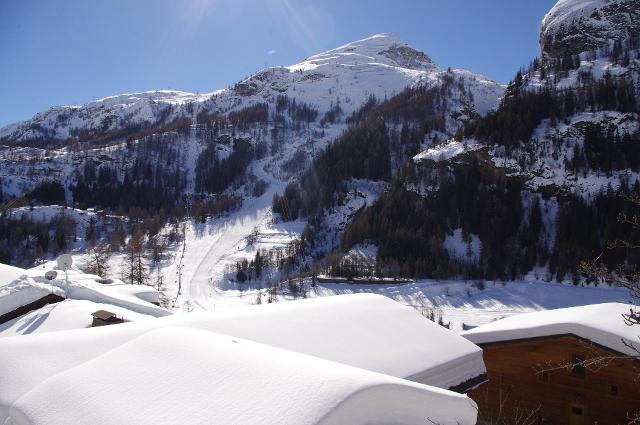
x,y
571,366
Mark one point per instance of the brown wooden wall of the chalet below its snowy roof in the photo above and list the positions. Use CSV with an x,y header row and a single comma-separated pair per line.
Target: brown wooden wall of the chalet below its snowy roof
x,y
605,395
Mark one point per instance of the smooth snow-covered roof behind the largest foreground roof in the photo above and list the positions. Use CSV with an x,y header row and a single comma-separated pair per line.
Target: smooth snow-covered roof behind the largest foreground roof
x,y
368,331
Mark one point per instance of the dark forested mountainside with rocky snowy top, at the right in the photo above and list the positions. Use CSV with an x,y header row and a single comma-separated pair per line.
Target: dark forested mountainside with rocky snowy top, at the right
x,y
535,186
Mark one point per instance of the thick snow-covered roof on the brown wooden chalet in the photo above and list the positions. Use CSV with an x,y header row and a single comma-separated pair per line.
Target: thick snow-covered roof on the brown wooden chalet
x,y
602,324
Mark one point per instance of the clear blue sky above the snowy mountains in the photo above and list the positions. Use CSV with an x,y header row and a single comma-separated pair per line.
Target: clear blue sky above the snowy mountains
x,y
74,51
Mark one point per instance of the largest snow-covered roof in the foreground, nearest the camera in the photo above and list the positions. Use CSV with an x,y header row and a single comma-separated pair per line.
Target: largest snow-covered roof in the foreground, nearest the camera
x,y
191,376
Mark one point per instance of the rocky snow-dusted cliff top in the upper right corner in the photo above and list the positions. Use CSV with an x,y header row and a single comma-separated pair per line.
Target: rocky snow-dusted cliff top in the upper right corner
x,y
576,26
